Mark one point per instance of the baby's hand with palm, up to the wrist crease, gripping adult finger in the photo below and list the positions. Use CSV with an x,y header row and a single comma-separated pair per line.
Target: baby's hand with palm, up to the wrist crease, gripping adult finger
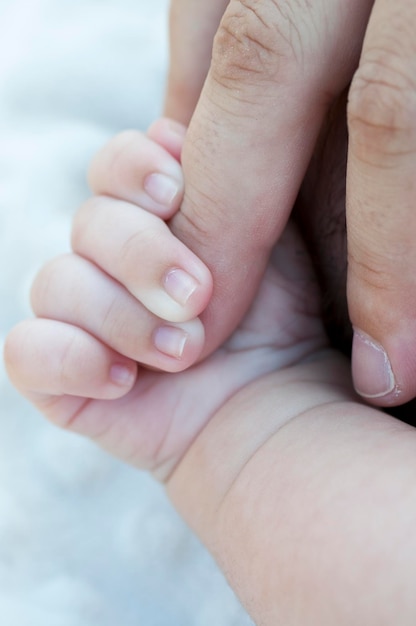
x,y
125,303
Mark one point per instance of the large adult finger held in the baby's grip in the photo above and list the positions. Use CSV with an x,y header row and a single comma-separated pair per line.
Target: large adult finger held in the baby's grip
x,y
275,68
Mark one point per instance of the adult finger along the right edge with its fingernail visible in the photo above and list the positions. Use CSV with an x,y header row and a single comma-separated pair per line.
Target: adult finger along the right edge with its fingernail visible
x,y
381,197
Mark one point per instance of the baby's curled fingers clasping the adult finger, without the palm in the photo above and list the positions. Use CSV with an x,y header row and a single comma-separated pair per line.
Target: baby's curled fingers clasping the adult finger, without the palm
x,y
129,293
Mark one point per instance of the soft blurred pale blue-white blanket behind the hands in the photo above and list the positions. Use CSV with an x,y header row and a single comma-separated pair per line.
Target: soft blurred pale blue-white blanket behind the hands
x,y
84,540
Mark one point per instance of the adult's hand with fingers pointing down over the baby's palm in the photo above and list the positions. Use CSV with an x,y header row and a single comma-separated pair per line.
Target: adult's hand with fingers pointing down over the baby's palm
x,y
275,70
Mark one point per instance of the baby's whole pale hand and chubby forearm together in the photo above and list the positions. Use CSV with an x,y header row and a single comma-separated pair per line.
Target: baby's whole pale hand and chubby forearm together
x,y
305,496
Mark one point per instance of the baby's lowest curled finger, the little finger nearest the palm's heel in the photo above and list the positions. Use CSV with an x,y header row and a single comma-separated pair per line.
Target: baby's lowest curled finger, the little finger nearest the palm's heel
x,y
52,358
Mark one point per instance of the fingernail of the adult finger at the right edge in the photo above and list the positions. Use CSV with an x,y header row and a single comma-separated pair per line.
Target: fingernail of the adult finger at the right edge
x,y
373,376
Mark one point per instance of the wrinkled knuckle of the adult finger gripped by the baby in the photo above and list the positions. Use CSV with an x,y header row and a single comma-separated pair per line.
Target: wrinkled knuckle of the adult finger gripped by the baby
x,y
253,43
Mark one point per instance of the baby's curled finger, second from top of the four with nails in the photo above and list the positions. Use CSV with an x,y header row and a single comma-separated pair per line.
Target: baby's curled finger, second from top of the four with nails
x,y
138,250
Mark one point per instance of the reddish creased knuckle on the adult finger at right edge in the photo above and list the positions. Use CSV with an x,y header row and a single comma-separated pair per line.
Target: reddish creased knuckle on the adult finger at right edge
x,y
381,109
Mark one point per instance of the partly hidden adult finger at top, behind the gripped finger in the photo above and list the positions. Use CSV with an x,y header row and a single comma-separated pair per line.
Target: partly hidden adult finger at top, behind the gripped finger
x,y
192,25
